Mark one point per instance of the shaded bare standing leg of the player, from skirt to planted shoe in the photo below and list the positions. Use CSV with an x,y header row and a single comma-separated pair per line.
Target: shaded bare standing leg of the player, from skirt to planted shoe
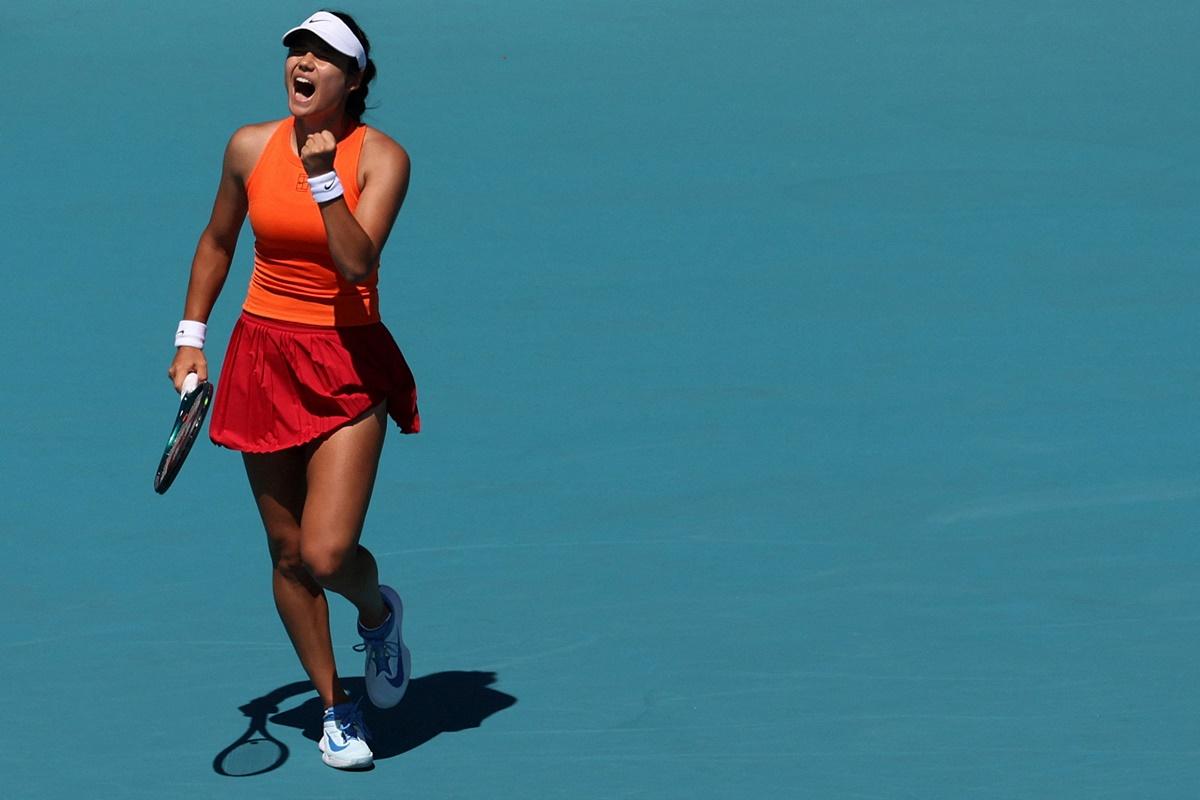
x,y
278,482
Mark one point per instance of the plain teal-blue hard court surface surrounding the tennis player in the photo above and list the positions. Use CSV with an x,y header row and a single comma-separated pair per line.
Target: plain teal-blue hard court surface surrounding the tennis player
x,y
808,390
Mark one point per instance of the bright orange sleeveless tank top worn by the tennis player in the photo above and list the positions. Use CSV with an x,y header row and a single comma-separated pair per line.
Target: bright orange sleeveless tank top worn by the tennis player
x,y
295,278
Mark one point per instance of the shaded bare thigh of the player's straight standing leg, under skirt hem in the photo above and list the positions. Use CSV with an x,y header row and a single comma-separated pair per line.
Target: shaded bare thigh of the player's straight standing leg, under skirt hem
x,y
279,484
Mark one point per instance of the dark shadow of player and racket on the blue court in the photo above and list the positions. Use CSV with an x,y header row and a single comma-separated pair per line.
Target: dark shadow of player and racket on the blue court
x,y
440,703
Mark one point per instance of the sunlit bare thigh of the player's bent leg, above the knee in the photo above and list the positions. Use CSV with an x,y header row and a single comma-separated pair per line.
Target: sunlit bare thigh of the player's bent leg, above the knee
x,y
340,477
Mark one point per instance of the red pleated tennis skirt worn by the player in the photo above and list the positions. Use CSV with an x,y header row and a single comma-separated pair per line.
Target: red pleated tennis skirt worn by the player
x,y
286,384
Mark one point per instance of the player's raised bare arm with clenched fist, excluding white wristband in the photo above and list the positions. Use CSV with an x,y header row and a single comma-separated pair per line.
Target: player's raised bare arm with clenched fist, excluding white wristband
x,y
356,240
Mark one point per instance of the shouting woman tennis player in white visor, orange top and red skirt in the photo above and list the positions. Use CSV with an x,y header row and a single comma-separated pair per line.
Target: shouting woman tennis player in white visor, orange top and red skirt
x,y
311,375
